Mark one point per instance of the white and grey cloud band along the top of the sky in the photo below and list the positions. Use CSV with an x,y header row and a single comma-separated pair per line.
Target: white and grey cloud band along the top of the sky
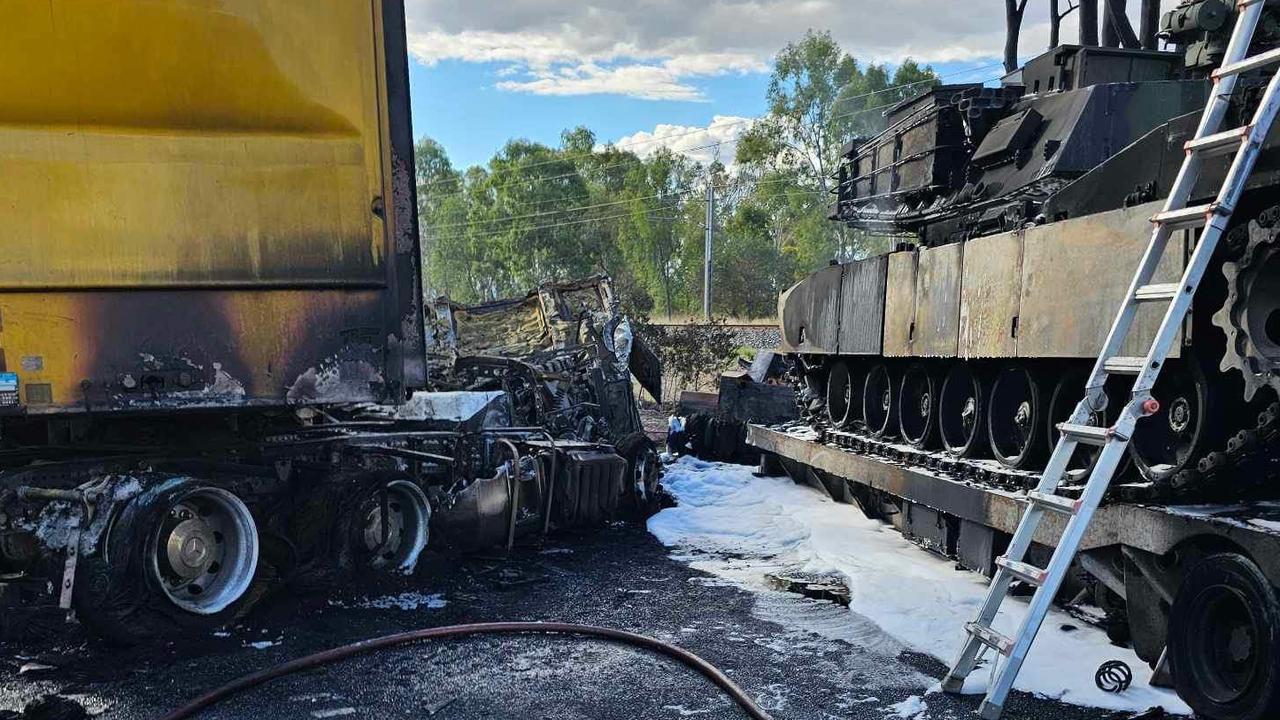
x,y
660,49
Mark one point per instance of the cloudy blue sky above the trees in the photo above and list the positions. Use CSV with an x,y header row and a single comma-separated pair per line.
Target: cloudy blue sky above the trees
x,y
484,72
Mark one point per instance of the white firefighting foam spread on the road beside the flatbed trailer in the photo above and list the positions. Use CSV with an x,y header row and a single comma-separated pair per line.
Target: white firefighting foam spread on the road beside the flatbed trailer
x,y
917,598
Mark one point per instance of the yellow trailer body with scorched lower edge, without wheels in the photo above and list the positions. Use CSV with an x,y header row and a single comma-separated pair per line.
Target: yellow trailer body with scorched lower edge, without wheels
x,y
204,206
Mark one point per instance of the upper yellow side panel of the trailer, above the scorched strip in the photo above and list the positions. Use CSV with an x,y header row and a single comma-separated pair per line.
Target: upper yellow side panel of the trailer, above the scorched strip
x,y
179,143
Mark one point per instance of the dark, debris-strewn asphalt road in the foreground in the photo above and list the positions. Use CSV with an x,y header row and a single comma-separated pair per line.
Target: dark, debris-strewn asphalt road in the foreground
x,y
793,654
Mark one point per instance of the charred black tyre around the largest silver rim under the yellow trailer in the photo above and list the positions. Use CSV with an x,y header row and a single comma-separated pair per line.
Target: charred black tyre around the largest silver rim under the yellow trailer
x,y
120,598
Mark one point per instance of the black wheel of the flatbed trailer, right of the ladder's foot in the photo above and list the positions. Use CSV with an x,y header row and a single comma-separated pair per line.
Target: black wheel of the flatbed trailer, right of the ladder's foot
x,y
1224,640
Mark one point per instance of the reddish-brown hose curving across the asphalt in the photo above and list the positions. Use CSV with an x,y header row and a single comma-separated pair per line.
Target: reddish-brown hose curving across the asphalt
x,y
324,658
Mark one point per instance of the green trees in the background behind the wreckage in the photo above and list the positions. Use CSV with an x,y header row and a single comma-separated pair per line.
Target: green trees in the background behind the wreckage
x,y
538,213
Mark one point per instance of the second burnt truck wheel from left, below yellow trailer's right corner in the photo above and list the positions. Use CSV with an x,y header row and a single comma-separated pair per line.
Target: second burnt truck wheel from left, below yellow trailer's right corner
x,y
386,530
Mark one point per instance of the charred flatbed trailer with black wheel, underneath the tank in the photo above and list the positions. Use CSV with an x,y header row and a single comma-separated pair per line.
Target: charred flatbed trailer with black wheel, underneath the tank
x,y
1192,587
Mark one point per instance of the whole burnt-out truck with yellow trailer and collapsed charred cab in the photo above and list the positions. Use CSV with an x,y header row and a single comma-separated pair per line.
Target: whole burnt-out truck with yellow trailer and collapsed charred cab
x,y
208,395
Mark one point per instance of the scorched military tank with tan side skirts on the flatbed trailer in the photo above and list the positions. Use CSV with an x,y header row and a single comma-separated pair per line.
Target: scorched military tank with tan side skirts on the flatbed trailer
x,y
1028,208
